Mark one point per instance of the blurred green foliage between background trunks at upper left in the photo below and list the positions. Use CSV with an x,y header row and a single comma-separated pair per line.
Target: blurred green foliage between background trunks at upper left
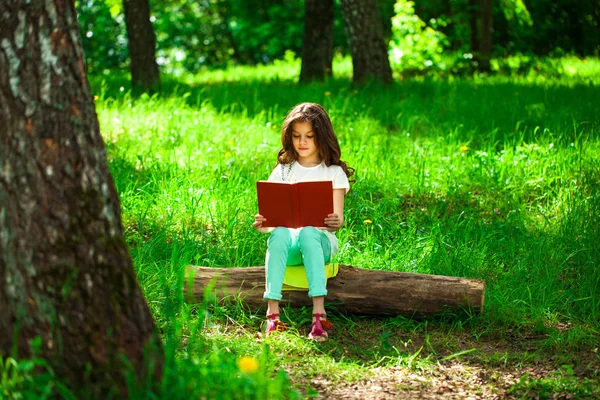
x,y
196,35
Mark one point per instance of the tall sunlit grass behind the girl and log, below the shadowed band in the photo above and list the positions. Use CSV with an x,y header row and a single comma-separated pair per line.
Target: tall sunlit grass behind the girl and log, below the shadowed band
x,y
519,214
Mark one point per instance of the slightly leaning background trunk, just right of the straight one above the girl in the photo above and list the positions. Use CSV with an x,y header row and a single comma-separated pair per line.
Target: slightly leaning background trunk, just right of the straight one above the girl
x,y
365,37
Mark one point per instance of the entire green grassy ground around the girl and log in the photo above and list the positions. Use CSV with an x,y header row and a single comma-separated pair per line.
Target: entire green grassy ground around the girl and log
x,y
489,178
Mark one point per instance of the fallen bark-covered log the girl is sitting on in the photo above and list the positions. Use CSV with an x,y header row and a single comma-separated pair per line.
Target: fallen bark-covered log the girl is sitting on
x,y
354,290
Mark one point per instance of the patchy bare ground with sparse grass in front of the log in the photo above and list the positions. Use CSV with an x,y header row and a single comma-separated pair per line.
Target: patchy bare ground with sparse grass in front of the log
x,y
384,359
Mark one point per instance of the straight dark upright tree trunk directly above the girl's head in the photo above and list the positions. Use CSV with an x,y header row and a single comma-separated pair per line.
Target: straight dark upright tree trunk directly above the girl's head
x,y
317,48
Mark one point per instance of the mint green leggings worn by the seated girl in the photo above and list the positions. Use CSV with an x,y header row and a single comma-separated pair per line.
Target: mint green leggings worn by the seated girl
x,y
309,246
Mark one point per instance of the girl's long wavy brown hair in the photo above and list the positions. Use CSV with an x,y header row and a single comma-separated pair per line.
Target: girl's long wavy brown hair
x,y
326,140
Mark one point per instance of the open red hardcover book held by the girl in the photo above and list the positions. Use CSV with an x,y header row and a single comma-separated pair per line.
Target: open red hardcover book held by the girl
x,y
295,204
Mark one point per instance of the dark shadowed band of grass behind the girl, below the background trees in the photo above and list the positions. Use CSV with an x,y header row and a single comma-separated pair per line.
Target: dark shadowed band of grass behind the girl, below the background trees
x,y
499,112
